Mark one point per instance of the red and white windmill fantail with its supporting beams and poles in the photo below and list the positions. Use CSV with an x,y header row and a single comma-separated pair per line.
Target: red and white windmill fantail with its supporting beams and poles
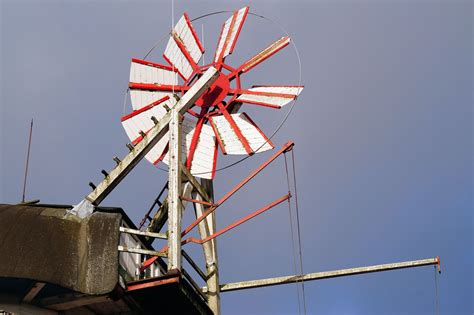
x,y
182,114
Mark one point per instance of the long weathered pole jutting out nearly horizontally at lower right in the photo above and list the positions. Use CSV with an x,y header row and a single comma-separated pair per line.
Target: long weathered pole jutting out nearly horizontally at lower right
x,y
326,274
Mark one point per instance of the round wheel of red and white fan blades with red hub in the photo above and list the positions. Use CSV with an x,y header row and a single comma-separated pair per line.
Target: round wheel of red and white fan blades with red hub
x,y
214,120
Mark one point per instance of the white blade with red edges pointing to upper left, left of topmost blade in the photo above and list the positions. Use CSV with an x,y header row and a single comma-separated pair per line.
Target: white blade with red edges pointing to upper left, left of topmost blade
x,y
184,49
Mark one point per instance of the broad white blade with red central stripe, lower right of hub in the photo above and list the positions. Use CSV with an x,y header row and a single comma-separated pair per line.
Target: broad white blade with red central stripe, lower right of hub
x,y
229,140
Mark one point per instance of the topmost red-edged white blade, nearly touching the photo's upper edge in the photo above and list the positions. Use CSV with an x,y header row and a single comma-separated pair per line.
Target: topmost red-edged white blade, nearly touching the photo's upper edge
x,y
230,33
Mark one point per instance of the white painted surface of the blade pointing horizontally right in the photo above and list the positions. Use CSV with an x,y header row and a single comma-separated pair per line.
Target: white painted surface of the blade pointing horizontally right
x,y
271,100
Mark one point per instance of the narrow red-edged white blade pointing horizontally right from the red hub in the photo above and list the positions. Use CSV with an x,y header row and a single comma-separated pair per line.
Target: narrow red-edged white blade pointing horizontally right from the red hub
x,y
274,96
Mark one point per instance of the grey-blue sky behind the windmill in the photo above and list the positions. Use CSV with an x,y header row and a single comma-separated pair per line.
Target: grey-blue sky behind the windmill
x,y
383,134
